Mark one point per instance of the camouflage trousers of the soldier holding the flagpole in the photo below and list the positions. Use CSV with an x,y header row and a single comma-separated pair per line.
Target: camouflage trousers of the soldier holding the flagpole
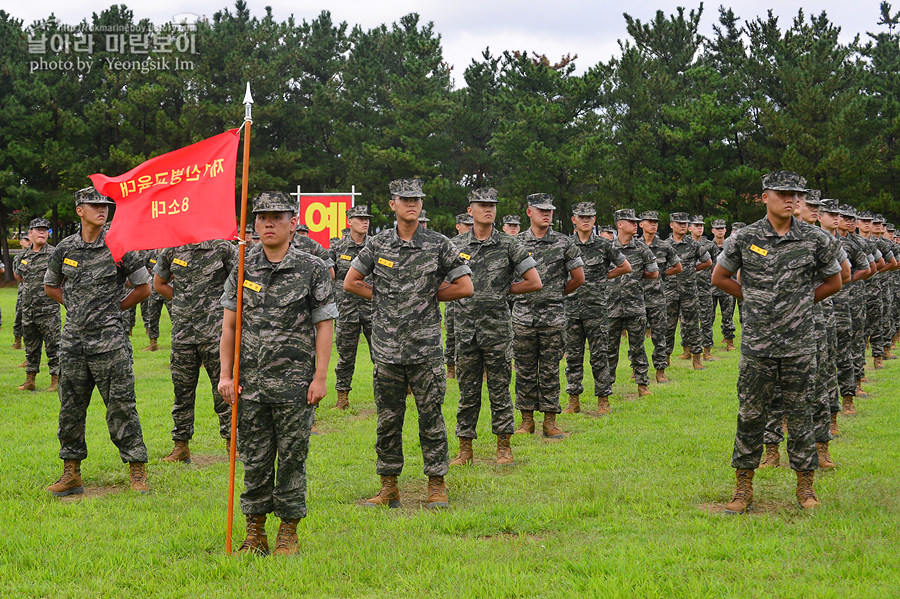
x,y
267,431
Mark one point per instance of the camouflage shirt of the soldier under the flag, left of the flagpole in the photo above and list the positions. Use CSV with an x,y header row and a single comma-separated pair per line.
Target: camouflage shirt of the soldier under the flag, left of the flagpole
x,y
198,272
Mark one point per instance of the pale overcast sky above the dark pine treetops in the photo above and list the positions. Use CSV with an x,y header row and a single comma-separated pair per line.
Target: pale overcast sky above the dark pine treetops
x,y
588,28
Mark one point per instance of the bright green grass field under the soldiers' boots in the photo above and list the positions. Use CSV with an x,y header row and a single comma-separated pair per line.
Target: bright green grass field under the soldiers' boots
x,y
628,505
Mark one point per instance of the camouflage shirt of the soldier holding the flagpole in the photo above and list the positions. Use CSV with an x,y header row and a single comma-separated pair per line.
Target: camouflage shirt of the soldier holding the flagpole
x,y
282,303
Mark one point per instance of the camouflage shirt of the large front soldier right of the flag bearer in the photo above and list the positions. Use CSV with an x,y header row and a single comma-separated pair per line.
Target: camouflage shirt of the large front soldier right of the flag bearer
x,y
405,277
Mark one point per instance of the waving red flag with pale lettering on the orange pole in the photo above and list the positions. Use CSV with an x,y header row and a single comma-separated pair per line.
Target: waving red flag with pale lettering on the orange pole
x,y
185,196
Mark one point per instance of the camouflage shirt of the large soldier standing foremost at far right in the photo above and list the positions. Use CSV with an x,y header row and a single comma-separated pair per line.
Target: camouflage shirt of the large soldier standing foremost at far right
x,y
779,274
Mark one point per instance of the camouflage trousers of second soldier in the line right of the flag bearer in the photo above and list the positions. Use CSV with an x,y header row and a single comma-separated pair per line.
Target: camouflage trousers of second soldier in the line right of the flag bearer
x,y
471,364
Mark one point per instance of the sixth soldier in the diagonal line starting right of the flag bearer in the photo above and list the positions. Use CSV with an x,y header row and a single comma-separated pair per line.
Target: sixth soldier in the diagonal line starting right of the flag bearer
x,y
669,265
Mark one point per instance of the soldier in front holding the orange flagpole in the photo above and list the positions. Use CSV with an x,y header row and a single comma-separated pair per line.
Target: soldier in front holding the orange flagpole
x,y
286,331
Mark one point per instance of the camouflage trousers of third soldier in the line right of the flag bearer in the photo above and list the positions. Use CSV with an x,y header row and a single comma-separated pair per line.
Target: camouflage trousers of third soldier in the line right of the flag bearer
x,y
538,352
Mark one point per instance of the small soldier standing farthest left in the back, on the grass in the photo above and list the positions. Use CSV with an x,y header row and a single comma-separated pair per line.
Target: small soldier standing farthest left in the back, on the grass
x,y
40,314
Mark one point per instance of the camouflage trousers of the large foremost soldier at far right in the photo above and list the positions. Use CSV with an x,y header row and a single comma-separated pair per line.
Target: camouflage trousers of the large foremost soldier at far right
x,y
760,381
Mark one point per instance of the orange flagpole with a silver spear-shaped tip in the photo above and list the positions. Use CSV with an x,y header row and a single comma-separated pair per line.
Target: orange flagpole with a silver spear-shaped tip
x,y
232,450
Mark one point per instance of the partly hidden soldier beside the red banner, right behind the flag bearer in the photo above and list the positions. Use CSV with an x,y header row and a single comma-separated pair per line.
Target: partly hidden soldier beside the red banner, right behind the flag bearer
x,y
354,313
